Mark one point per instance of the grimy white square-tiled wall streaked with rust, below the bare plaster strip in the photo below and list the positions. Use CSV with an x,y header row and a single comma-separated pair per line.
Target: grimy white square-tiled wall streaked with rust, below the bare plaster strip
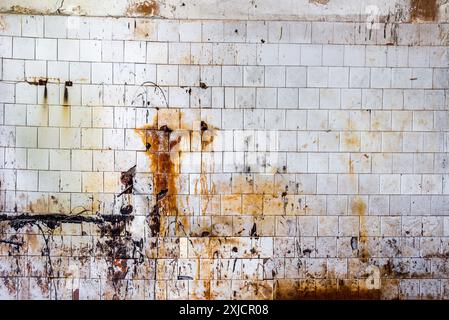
x,y
218,159
